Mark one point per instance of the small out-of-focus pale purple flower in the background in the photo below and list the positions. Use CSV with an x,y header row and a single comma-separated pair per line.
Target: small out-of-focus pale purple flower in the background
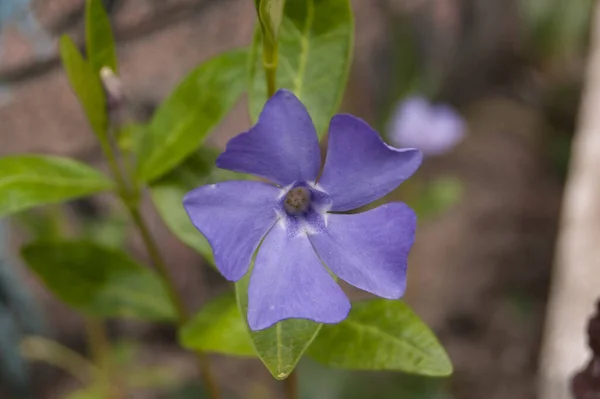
x,y
434,129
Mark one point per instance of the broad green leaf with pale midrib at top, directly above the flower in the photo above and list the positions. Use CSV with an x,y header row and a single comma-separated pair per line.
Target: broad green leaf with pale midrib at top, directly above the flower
x,y
315,50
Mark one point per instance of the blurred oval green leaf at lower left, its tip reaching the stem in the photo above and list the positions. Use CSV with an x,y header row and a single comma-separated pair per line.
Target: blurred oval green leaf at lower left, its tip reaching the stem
x,y
99,281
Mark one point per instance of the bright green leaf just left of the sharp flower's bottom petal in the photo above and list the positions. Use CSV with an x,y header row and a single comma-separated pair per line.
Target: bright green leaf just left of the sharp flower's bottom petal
x,y
219,328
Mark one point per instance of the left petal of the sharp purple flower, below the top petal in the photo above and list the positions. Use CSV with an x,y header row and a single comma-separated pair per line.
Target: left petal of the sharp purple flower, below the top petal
x,y
234,216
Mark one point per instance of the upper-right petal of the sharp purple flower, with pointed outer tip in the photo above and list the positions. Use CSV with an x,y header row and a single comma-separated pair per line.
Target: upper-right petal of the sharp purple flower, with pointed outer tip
x,y
360,168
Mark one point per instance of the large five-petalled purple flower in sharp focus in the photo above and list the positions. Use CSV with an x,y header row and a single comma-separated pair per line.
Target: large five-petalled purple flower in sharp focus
x,y
297,219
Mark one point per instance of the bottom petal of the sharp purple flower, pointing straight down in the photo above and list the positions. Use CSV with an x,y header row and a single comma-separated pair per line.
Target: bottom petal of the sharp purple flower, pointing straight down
x,y
289,281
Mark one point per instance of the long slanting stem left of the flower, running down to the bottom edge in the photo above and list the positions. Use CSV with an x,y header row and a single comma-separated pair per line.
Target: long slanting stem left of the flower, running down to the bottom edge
x,y
130,200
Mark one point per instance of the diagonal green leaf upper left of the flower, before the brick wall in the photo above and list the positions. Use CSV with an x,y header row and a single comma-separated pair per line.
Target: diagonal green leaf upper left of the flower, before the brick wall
x,y
189,114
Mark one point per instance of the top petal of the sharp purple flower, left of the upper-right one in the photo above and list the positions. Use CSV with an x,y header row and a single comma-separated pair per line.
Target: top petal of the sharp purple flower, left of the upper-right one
x,y
282,147
